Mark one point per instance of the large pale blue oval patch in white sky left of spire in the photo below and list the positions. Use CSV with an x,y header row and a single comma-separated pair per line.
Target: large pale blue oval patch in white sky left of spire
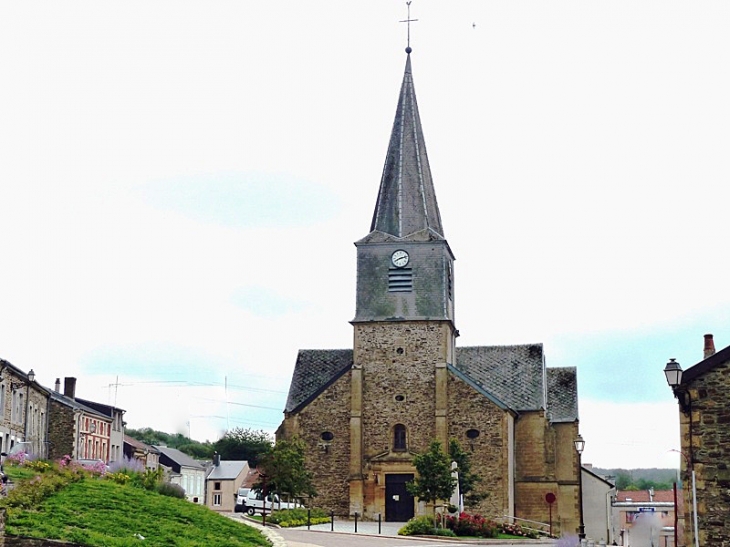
x,y
244,199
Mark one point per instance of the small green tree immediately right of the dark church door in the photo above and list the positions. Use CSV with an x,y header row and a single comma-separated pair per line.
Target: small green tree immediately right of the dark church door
x,y
434,481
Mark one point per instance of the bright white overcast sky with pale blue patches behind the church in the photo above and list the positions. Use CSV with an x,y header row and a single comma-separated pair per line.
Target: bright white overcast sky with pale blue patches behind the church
x,y
181,184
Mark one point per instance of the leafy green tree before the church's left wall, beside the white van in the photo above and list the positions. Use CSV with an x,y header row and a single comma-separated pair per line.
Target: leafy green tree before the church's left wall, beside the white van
x,y
285,471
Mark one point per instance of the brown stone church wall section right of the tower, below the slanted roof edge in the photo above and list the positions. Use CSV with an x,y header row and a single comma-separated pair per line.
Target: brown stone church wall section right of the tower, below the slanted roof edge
x,y
469,409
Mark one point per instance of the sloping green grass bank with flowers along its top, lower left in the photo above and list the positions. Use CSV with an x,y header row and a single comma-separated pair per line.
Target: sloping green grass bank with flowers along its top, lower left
x,y
94,511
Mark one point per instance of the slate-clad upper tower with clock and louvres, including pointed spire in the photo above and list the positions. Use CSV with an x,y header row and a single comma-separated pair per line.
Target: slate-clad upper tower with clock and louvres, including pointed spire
x,y
405,265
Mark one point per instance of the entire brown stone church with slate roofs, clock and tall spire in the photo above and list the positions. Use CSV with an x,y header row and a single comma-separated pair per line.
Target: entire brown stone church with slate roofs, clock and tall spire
x,y
365,412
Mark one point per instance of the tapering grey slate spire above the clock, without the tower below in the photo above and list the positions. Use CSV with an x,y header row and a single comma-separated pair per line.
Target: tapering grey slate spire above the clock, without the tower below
x,y
406,199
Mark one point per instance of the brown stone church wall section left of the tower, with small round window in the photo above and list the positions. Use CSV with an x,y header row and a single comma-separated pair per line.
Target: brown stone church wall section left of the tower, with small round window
x,y
328,461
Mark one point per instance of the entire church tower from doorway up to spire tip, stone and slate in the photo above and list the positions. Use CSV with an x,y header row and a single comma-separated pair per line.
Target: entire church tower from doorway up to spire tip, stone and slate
x,y
404,328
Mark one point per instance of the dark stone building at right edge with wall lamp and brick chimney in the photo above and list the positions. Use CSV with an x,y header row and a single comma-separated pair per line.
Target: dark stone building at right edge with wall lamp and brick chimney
x,y
704,418
